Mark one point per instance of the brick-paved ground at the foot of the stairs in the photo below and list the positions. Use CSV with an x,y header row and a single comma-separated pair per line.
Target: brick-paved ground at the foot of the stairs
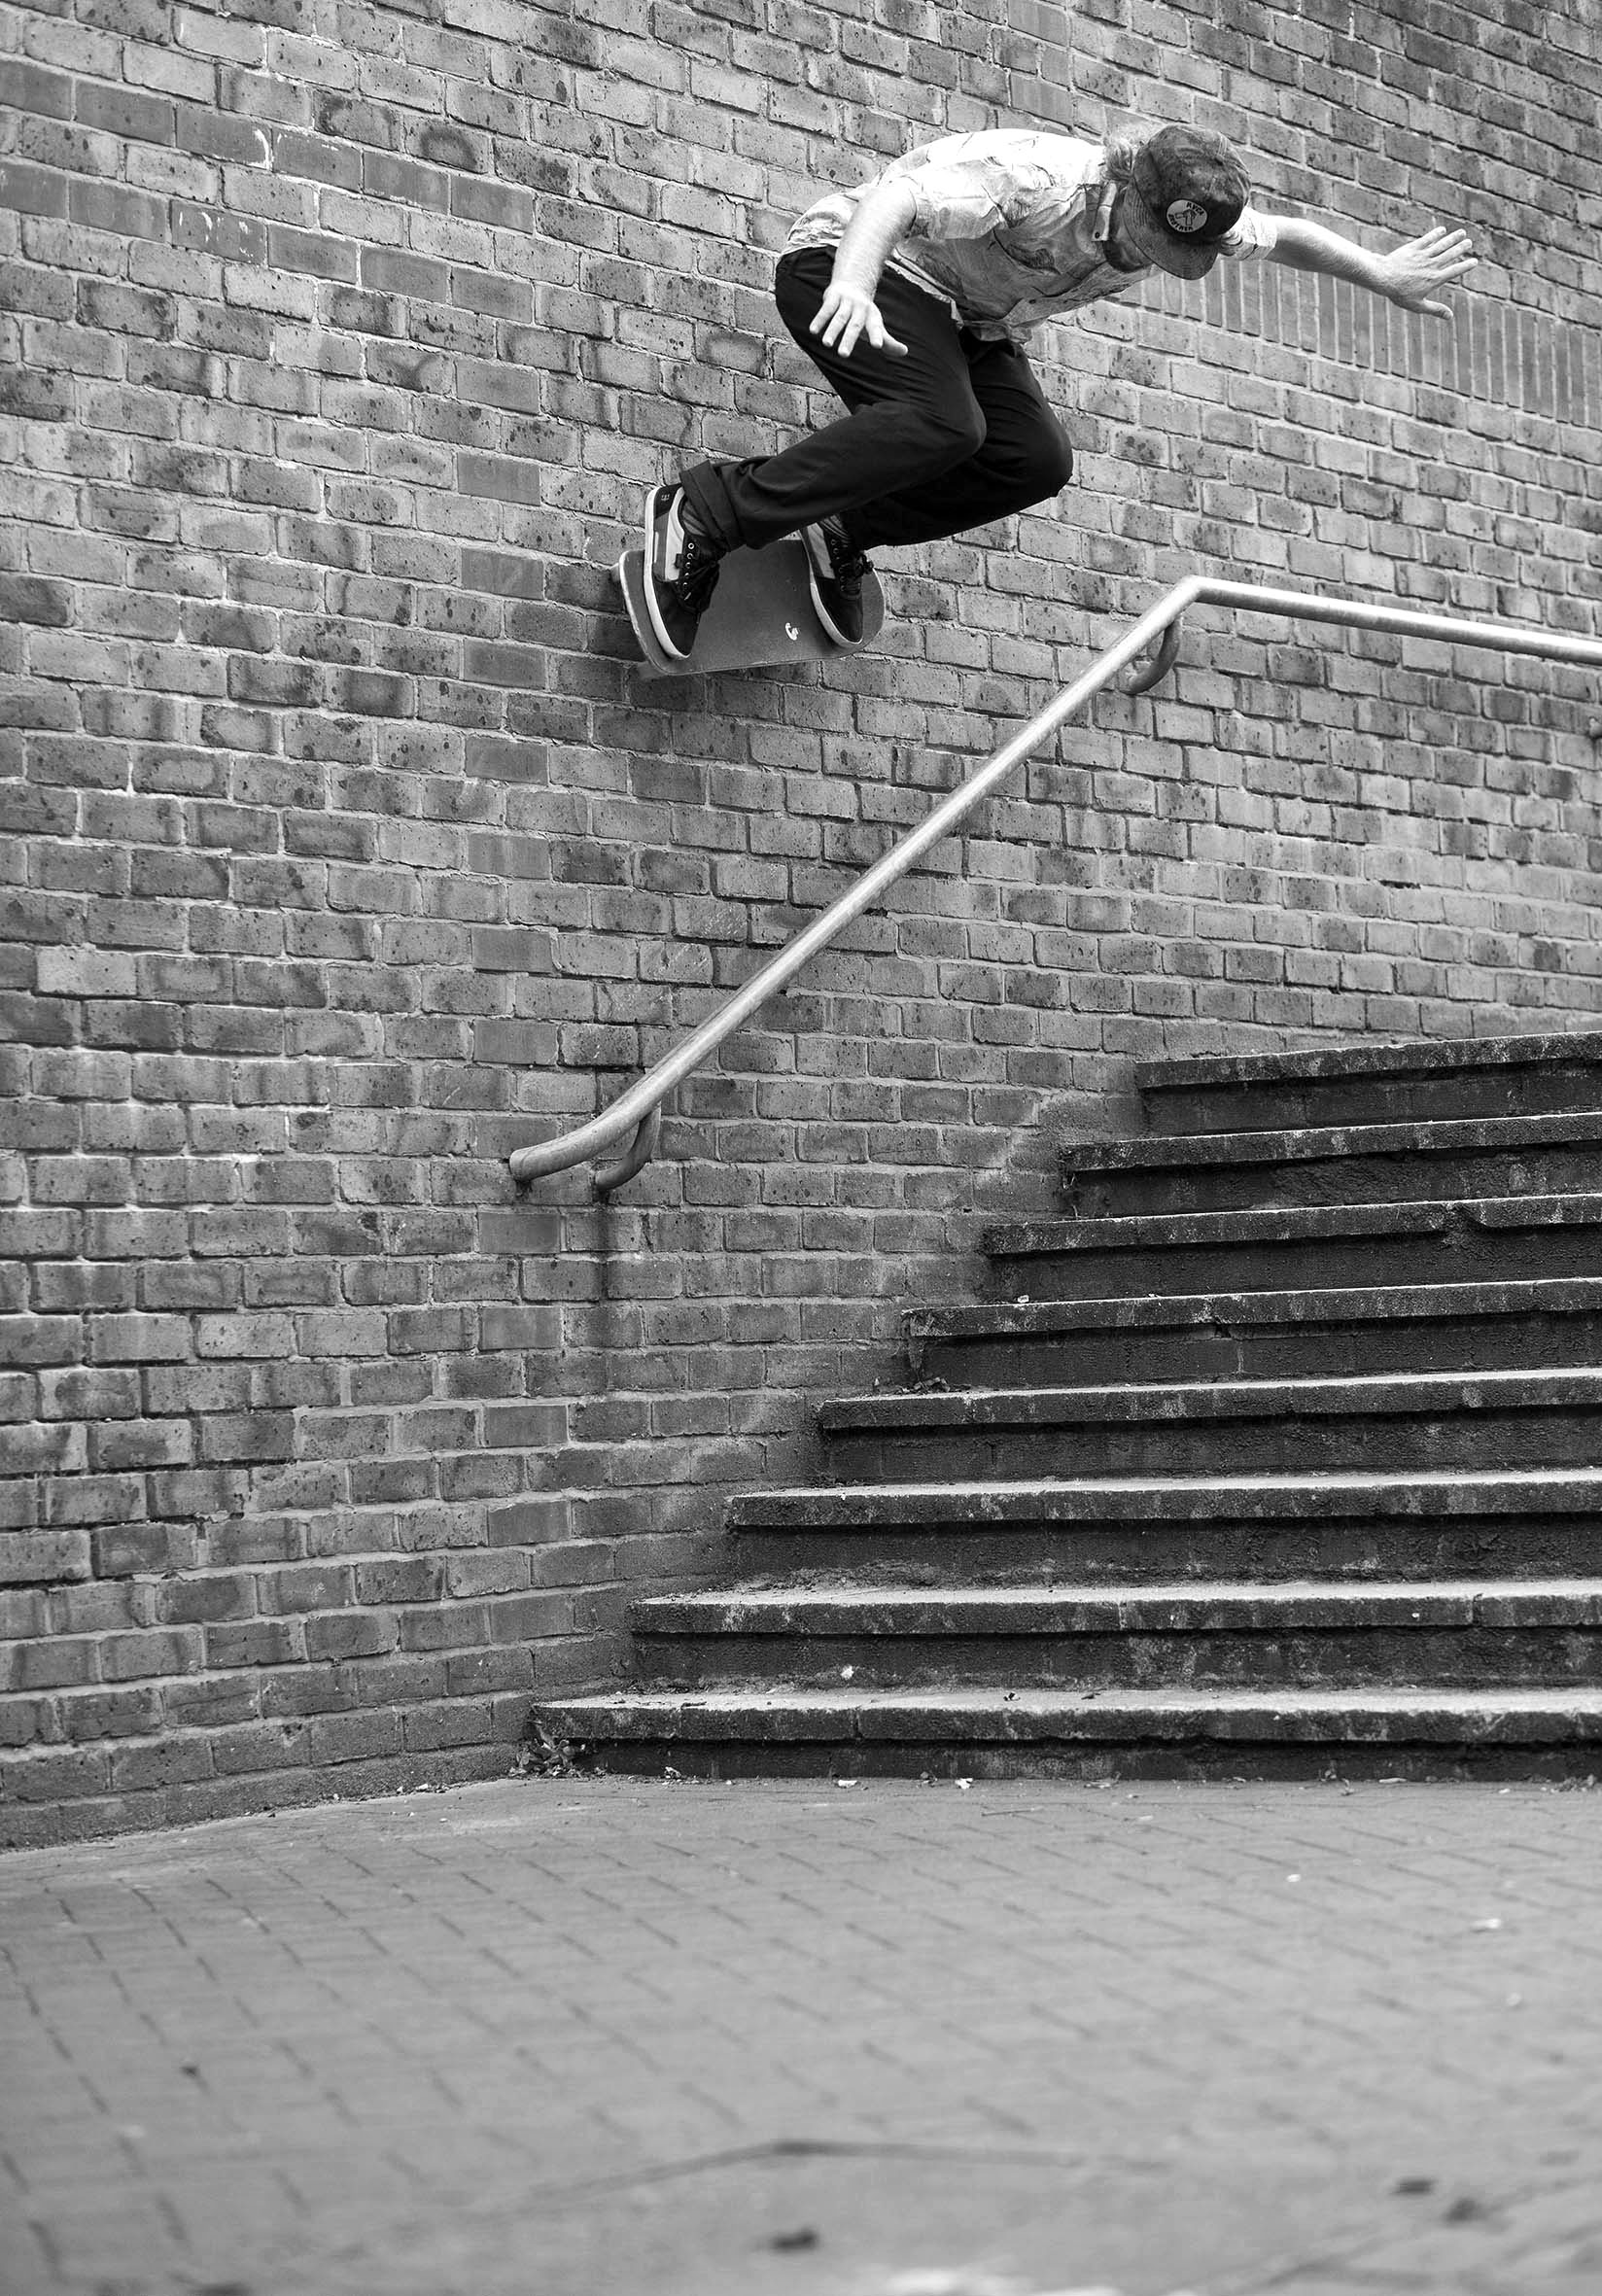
x,y
621,2040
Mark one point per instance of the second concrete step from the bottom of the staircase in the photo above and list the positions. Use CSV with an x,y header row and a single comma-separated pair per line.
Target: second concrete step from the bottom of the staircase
x,y
1465,1634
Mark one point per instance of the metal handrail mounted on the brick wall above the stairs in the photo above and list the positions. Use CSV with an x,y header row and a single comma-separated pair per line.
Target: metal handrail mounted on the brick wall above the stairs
x,y
639,1110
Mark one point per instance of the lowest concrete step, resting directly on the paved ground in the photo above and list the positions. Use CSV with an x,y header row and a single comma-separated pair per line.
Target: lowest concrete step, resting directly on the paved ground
x,y
986,1732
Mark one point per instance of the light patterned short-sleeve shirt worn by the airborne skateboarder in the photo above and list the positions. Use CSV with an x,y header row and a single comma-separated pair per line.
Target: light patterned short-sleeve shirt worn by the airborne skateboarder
x,y
1006,228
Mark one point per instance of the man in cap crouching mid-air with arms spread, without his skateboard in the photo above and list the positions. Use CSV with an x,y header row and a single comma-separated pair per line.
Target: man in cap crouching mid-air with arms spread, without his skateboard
x,y
915,297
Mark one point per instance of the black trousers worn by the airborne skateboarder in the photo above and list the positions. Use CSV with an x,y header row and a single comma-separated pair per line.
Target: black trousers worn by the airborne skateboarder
x,y
944,440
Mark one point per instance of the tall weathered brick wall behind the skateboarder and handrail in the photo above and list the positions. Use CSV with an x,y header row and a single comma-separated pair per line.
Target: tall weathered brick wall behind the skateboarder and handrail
x,y
343,848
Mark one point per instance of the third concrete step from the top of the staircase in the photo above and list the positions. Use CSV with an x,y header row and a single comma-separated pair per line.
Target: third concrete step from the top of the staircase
x,y
1328,1246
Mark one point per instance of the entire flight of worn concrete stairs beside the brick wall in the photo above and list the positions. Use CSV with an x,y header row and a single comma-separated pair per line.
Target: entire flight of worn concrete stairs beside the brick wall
x,y
1280,1455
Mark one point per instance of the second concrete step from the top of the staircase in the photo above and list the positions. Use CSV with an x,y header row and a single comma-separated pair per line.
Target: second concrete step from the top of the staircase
x,y
1252,1170
